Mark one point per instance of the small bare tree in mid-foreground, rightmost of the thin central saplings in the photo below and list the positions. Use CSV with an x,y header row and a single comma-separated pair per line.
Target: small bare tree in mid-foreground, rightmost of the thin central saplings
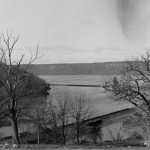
x,y
81,110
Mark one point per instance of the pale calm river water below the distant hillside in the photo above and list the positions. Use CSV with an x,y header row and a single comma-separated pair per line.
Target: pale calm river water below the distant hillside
x,y
102,101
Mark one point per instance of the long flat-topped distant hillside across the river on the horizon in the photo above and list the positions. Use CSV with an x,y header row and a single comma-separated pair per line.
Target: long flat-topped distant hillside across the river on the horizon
x,y
106,68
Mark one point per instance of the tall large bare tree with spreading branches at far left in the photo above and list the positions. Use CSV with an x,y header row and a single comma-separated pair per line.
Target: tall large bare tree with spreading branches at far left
x,y
16,84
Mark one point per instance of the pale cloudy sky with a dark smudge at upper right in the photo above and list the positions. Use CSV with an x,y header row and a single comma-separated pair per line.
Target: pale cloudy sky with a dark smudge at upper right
x,y
72,31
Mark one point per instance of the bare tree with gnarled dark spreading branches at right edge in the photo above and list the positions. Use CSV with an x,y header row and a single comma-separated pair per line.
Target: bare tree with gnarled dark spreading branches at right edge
x,y
133,85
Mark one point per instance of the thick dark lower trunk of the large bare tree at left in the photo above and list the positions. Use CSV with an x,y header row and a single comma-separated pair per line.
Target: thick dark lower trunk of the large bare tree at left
x,y
15,130
